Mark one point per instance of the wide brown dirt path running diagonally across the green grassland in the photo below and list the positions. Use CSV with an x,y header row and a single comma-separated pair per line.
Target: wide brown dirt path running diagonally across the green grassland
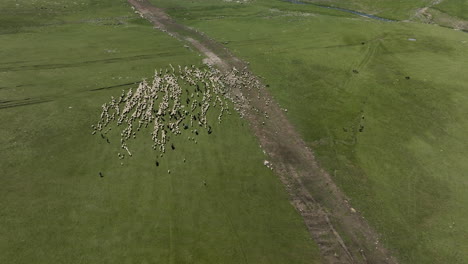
x,y
326,213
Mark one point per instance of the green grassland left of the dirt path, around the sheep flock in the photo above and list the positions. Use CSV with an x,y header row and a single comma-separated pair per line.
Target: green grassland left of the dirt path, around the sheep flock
x,y
59,62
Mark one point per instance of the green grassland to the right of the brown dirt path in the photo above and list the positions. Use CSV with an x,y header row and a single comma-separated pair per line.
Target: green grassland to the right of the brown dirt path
x,y
396,146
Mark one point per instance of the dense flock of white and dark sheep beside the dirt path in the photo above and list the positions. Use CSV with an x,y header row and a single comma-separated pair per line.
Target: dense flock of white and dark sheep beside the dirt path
x,y
174,101
